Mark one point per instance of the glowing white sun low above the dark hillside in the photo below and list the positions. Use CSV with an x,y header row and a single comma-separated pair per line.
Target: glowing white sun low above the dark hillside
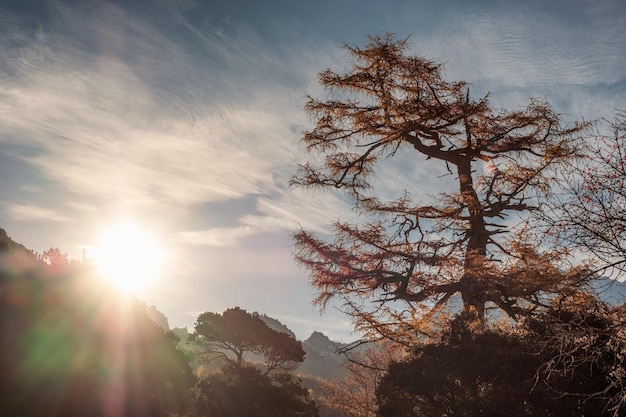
x,y
128,257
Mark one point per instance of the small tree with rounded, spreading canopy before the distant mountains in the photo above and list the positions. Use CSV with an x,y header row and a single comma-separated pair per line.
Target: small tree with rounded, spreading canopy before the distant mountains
x,y
236,332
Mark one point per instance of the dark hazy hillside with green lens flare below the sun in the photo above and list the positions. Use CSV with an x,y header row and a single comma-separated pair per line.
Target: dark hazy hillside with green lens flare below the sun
x,y
66,339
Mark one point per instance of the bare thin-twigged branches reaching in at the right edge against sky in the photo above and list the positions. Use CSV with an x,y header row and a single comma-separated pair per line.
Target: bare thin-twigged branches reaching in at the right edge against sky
x,y
592,212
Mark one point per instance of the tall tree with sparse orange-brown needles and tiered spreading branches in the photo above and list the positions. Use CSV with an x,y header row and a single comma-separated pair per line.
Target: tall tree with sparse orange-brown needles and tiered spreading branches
x,y
405,260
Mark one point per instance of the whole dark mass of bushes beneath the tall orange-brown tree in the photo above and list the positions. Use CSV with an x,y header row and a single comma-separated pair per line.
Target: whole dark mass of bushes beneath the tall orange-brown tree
x,y
568,360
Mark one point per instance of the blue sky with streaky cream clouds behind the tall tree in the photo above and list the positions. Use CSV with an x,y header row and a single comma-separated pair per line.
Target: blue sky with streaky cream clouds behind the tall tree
x,y
184,118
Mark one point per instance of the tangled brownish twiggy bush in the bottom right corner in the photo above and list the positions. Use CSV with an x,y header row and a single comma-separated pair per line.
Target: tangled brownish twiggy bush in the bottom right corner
x,y
582,343
